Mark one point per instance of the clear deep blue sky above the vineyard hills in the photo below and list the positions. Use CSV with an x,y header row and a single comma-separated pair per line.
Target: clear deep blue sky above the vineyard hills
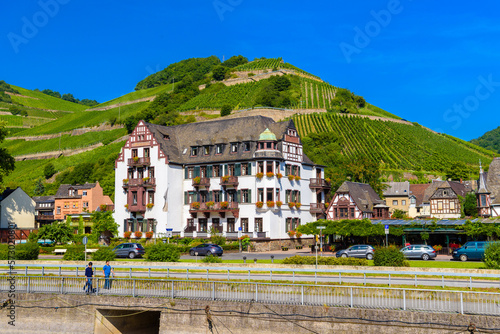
x,y
435,63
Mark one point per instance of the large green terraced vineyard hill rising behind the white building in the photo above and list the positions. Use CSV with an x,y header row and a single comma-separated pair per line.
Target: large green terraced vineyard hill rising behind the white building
x,y
80,143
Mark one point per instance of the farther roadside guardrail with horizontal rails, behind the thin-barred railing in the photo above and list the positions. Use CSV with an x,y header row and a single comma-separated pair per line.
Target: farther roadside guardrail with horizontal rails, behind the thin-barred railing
x,y
245,273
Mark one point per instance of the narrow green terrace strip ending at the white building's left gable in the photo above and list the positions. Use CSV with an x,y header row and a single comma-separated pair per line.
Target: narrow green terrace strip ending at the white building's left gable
x,y
20,147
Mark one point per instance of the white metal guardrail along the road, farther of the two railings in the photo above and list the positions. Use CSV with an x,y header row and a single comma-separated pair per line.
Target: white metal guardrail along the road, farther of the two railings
x,y
337,273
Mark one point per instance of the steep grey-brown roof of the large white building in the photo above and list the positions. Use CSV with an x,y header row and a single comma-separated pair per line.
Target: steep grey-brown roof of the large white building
x,y
176,141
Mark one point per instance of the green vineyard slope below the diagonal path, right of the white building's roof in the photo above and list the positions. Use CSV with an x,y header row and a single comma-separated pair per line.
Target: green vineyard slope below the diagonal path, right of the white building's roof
x,y
395,145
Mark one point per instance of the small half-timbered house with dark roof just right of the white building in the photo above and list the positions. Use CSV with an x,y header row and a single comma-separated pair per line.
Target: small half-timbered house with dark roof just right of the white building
x,y
356,201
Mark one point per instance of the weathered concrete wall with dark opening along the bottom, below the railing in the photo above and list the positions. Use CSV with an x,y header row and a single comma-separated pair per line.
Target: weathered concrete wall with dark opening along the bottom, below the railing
x,y
190,316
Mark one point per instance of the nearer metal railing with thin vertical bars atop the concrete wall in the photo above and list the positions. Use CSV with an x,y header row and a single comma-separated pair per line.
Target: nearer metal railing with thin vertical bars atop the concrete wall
x,y
292,294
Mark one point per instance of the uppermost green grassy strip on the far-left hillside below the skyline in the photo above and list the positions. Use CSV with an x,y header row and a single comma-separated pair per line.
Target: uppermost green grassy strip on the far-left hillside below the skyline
x,y
44,101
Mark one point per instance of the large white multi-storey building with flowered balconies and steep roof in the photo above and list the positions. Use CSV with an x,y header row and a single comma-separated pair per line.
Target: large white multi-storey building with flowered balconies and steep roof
x,y
247,173
